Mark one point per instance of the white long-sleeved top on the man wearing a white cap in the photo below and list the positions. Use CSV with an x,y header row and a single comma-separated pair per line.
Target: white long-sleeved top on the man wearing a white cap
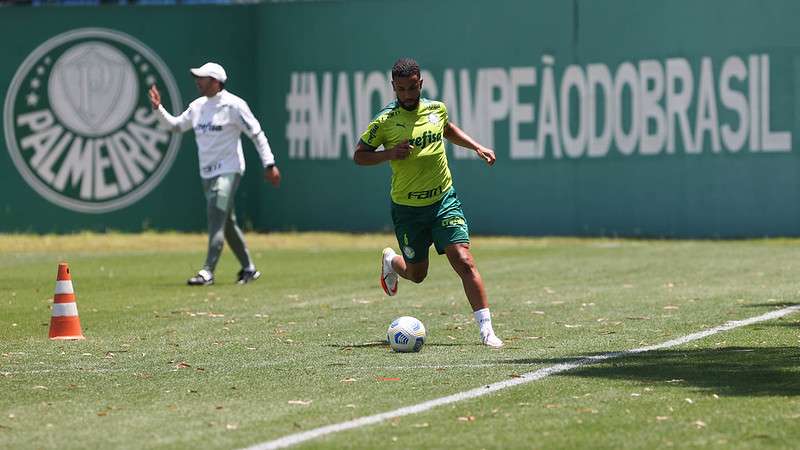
x,y
217,122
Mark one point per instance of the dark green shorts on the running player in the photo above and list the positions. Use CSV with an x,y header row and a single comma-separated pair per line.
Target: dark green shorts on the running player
x,y
417,227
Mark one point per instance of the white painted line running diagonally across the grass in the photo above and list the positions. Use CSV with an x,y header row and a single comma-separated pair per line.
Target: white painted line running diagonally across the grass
x,y
297,438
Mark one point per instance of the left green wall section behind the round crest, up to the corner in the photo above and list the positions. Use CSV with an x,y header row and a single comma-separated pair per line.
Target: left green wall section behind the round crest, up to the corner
x,y
172,32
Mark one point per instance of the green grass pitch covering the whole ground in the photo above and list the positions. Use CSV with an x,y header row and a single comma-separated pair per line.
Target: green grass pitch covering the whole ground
x,y
165,365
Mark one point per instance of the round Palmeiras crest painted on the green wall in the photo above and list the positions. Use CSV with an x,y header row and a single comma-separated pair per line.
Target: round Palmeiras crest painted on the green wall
x,y
79,126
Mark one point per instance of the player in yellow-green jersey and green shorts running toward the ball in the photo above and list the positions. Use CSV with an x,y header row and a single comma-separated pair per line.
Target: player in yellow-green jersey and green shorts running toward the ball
x,y
425,209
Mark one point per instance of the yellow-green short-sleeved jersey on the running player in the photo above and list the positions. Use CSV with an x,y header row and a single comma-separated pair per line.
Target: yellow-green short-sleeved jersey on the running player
x,y
423,177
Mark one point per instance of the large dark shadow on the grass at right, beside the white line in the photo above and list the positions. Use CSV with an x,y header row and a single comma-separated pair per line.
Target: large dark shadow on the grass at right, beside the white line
x,y
728,371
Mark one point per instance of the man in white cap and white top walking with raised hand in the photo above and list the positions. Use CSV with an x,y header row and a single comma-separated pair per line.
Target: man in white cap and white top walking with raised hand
x,y
218,118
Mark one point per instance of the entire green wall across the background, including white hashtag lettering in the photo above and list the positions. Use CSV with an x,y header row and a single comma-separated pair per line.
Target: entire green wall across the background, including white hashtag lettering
x,y
711,155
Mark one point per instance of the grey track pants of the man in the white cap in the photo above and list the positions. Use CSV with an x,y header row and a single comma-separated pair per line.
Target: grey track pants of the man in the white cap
x,y
220,192
